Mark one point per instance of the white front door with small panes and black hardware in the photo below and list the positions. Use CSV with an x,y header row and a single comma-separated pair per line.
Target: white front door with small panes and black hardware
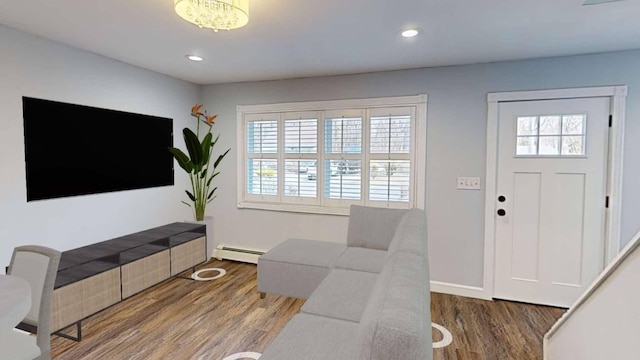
x,y
551,191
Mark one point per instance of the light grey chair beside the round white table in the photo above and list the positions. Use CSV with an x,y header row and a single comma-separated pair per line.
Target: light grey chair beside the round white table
x,y
37,265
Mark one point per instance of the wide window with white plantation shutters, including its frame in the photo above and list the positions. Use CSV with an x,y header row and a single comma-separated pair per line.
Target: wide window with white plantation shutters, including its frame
x,y
322,157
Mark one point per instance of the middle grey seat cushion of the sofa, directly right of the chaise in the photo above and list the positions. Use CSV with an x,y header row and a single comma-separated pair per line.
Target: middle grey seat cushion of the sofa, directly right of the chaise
x,y
343,294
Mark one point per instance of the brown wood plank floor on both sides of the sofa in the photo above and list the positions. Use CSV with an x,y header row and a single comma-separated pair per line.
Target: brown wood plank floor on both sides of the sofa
x,y
183,319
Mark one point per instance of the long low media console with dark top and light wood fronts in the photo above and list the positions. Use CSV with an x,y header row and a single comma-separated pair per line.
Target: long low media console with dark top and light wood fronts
x,y
96,276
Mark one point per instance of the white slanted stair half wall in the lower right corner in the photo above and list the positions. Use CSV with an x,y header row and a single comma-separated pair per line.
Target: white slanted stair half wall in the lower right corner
x,y
605,322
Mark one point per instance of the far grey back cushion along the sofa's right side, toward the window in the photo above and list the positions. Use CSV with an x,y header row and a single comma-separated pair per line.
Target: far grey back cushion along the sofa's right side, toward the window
x,y
411,235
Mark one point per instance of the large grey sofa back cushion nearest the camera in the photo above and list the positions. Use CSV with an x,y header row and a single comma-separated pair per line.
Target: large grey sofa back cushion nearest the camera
x,y
396,323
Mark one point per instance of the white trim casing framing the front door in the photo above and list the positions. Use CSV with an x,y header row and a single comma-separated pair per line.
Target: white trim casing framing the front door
x,y
618,95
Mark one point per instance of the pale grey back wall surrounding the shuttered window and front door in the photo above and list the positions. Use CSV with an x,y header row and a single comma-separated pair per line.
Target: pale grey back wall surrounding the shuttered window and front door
x,y
456,130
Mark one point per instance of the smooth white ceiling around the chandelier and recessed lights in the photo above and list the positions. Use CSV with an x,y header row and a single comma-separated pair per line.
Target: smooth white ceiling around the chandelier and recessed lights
x,y
302,38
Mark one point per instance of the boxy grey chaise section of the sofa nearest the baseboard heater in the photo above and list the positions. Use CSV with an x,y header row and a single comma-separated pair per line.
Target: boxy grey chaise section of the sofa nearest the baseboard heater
x,y
296,267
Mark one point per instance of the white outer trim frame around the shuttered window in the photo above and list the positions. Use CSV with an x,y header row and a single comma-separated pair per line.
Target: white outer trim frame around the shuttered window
x,y
419,137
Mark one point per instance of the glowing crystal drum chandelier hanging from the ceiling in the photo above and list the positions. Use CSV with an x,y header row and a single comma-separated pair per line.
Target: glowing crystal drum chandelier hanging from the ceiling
x,y
214,14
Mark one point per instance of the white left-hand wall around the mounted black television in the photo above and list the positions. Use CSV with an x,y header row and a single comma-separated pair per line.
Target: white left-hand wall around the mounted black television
x,y
33,66
